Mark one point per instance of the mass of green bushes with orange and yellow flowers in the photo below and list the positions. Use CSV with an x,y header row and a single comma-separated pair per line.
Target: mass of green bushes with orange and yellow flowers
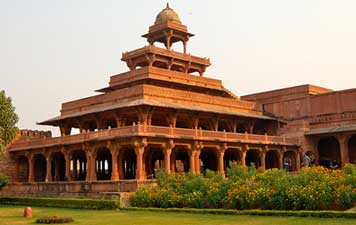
x,y
315,188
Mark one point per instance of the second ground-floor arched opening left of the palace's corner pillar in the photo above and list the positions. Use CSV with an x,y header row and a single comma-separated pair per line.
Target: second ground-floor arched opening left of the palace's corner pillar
x,y
103,164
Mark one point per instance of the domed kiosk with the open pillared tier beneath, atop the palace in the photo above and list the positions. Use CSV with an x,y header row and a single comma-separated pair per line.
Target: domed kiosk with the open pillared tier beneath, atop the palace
x,y
167,30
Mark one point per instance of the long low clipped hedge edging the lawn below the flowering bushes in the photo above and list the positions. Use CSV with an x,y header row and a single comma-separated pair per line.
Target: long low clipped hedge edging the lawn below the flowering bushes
x,y
320,214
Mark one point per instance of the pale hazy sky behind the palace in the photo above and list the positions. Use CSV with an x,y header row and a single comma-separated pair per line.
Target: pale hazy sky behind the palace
x,y
56,51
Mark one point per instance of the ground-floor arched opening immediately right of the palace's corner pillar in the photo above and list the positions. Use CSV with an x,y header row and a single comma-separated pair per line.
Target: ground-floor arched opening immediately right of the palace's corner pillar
x,y
154,161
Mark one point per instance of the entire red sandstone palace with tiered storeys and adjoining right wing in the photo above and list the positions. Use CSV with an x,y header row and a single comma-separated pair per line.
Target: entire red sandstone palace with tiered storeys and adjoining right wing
x,y
164,115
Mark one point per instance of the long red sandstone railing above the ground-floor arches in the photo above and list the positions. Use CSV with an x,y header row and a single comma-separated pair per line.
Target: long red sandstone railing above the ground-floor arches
x,y
153,131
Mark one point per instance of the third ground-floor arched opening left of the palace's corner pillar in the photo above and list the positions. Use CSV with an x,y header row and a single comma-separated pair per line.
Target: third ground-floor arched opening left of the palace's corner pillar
x,y
78,166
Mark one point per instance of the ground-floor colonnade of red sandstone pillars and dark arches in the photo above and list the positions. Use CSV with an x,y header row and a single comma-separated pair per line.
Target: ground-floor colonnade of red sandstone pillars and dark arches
x,y
142,158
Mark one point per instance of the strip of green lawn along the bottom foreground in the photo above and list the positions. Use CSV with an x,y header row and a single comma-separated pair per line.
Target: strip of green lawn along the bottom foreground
x,y
12,215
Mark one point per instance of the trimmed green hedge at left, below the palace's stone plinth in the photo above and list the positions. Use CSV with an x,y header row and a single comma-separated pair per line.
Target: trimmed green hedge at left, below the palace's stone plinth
x,y
61,202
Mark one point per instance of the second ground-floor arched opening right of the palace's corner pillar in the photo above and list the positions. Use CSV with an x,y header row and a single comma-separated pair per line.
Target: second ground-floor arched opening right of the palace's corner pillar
x,y
180,160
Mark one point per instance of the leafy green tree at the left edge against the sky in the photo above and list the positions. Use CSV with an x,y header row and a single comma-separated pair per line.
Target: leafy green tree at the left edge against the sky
x,y
8,120
